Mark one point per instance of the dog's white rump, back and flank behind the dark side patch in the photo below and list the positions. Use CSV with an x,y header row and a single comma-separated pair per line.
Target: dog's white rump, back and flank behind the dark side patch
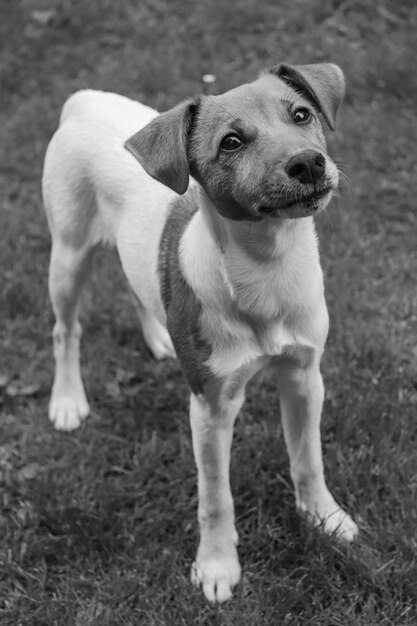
x,y
93,190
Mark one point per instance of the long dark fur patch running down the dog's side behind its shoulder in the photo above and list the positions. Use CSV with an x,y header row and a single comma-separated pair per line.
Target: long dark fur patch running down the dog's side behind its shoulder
x,y
182,307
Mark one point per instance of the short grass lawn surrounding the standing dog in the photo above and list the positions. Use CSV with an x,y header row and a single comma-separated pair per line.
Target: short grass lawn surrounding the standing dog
x,y
99,527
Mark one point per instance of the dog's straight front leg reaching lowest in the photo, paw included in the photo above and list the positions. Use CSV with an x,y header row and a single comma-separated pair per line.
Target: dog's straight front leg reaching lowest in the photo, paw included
x,y
216,567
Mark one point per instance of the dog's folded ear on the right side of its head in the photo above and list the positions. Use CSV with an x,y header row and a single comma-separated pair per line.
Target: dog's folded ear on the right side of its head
x,y
321,83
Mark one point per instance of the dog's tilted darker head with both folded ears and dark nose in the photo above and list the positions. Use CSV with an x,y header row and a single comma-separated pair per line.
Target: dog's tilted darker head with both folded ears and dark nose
x,y
257,150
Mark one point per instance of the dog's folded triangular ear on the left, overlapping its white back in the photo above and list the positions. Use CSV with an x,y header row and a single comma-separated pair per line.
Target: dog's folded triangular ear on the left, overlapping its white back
x,y
161,146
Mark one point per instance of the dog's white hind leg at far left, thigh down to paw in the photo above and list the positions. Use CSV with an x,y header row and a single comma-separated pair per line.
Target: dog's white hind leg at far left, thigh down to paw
x,y
69,268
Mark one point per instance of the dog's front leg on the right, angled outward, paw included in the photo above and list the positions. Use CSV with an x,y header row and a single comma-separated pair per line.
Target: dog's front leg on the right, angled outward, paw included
x,y
301,395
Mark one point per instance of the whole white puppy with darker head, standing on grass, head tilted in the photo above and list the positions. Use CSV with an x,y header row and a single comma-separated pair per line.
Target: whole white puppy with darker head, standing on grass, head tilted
x,y
225,268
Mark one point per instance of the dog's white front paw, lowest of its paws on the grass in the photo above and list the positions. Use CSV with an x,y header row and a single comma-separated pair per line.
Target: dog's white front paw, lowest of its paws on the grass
x,y
217,574
